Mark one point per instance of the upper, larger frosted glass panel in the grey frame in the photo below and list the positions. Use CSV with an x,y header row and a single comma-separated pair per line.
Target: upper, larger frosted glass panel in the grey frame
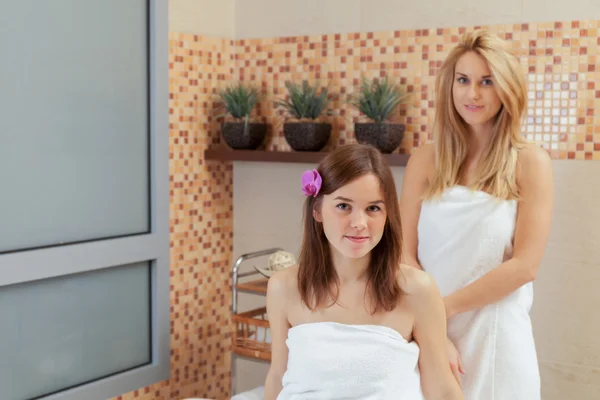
x,y
74,121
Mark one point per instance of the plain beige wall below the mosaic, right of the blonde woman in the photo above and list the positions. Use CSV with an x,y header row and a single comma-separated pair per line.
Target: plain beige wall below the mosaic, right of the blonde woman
x,y
565,313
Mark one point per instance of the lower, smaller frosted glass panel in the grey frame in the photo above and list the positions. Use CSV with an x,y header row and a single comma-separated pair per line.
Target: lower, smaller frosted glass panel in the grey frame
x,y
61,332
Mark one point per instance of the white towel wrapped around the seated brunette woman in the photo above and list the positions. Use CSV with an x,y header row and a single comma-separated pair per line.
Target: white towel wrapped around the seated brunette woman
x,y
332,361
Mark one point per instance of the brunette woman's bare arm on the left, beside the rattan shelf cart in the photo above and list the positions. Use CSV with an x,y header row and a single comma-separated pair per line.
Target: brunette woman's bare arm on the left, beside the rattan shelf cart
x,y
279,325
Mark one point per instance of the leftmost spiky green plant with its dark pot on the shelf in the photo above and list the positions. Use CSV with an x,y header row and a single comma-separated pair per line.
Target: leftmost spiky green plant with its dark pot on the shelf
x,y
238,131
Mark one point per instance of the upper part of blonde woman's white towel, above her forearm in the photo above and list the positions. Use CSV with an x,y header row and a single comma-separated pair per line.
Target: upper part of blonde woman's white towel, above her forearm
x,y
464,235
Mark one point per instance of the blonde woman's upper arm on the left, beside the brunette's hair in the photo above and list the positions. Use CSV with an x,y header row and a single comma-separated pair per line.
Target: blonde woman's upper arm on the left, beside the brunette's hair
x,y
414,185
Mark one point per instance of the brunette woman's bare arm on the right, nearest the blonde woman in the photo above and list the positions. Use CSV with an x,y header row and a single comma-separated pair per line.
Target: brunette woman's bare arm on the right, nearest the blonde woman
x,y
437,382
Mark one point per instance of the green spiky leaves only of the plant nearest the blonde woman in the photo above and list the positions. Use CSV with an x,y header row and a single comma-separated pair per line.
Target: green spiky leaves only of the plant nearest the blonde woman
x,y
377,99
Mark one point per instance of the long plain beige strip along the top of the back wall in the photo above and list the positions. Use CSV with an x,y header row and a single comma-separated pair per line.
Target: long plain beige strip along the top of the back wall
x,y
268,18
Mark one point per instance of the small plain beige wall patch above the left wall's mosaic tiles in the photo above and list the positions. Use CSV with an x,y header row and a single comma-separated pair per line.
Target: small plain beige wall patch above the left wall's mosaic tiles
x,y
202,17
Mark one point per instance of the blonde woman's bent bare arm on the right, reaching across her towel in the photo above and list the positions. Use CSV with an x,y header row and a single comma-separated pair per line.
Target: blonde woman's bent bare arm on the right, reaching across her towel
x,y
531,235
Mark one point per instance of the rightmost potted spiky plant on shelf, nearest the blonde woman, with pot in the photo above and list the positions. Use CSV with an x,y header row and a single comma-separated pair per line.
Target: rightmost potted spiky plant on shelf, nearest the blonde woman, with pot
x,y
377,99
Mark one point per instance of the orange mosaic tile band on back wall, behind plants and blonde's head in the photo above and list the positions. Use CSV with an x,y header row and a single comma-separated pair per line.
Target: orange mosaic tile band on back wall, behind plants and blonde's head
x,y
559,59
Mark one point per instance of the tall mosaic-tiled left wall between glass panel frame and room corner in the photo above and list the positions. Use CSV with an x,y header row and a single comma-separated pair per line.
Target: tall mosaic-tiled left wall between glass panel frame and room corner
x,y
201,226
